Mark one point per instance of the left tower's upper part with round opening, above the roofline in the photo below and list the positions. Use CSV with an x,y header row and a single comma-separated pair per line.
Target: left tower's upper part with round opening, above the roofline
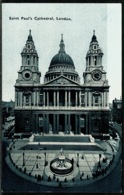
x,y
29,71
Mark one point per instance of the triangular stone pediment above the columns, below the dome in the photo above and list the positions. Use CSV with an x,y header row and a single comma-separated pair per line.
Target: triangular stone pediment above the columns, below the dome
x,y
62,80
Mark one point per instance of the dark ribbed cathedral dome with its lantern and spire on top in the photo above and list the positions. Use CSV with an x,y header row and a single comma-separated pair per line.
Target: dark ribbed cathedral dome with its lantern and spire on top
x,y
62,57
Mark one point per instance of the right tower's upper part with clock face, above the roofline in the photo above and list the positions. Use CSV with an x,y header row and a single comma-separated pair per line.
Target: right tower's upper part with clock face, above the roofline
x,y
94,72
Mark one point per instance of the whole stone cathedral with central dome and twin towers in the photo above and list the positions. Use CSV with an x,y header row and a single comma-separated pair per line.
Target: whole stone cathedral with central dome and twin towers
x,y
61,103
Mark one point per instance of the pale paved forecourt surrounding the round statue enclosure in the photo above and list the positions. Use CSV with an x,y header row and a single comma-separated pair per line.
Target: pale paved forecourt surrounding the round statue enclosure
x,y
35,163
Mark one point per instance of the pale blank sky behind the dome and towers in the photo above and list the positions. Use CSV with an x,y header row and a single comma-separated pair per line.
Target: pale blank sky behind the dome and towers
x,y
77,32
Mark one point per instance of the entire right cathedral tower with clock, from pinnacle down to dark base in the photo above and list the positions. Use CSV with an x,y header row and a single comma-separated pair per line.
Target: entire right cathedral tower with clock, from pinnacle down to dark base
x,y
96,88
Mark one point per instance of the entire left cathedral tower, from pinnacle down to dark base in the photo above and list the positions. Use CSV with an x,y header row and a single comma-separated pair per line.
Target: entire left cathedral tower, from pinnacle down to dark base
x,y
27,90
